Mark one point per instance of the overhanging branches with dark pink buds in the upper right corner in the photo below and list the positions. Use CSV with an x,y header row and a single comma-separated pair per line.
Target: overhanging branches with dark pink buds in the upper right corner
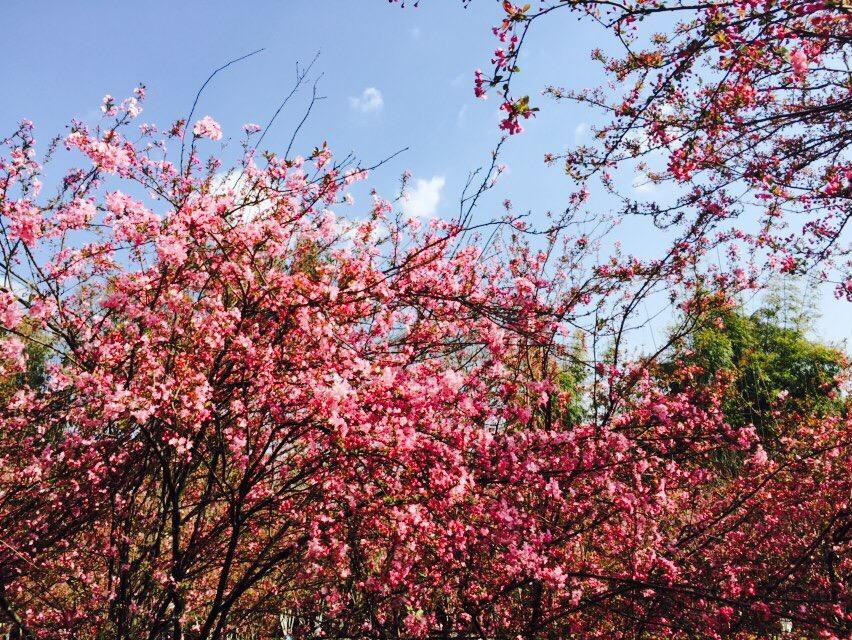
x,y
742,106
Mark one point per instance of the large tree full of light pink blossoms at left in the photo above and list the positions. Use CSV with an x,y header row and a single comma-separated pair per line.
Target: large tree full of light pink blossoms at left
x,y
234,373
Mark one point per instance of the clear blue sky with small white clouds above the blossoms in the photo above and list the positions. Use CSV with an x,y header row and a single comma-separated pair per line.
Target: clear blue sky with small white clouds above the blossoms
x,y
392,78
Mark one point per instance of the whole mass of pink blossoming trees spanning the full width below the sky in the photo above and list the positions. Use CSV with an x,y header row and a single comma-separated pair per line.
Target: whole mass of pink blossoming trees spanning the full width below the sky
x,y
257,419
